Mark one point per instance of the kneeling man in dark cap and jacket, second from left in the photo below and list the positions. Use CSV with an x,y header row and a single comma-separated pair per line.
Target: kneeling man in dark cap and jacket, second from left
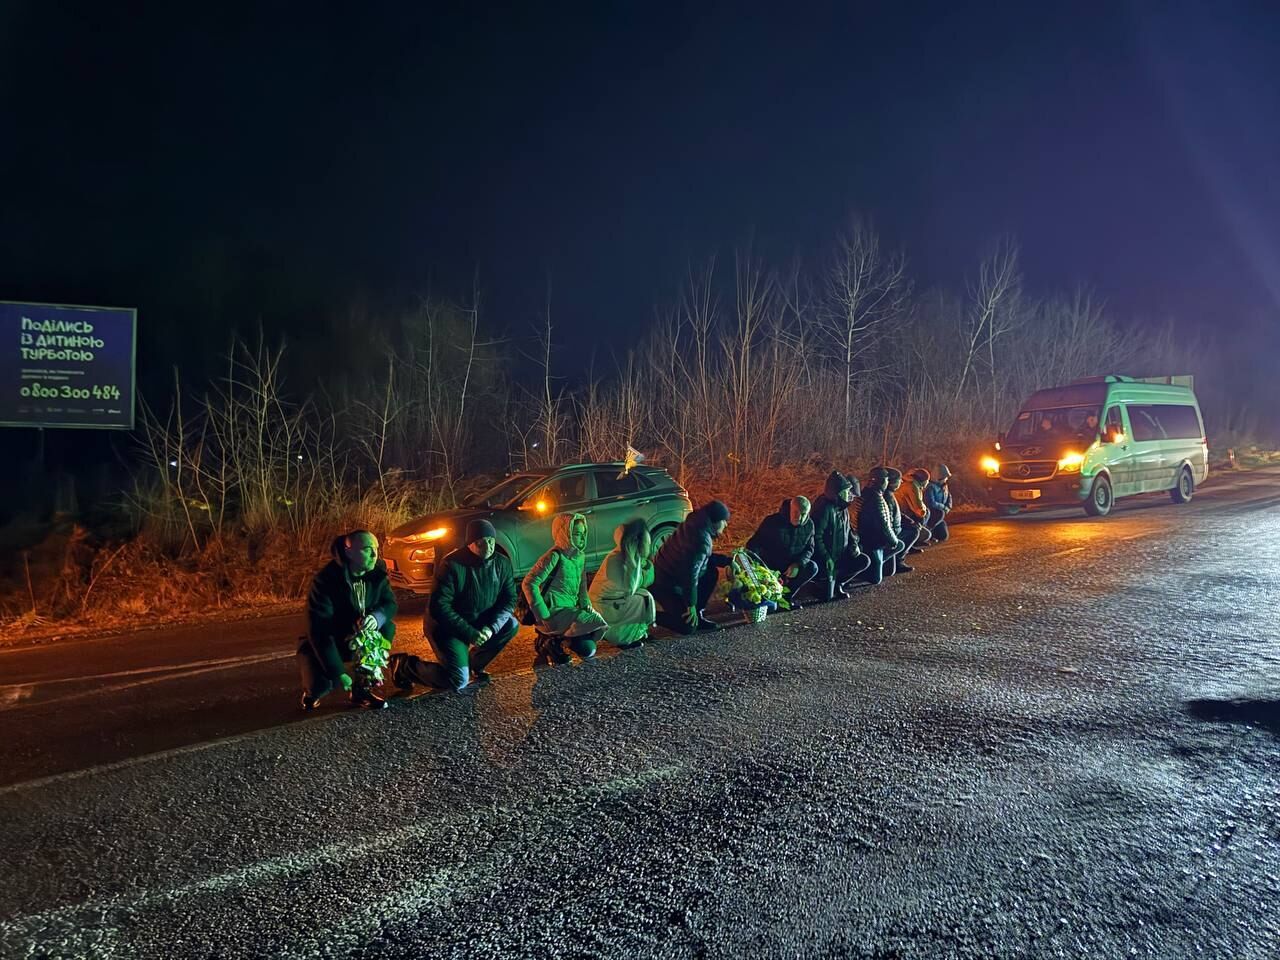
x,y
470,618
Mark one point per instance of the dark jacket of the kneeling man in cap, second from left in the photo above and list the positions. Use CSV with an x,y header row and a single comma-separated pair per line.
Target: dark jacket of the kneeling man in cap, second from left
x,y
472,593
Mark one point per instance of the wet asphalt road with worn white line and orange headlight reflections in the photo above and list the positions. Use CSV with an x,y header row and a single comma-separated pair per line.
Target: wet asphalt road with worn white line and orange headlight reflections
x,y
1058,738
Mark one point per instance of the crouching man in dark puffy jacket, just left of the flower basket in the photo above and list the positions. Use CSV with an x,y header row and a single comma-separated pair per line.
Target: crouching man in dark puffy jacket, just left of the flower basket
x,y
687,569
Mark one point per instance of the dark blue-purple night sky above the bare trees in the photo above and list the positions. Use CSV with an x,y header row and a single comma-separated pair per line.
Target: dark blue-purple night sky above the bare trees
x,y
218,164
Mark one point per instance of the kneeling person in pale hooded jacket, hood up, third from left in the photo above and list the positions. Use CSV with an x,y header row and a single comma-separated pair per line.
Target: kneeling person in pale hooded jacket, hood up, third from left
x,y
557,595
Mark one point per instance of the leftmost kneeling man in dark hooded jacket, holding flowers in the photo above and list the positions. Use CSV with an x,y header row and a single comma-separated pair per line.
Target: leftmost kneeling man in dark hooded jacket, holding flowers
x,y
351,595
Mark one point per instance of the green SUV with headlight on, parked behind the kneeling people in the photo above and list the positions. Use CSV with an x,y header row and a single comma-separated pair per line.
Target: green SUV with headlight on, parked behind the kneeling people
x,y
522,510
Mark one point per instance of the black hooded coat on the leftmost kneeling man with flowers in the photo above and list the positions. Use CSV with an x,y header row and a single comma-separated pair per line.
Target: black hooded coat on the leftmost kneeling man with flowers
x,y
337,602
